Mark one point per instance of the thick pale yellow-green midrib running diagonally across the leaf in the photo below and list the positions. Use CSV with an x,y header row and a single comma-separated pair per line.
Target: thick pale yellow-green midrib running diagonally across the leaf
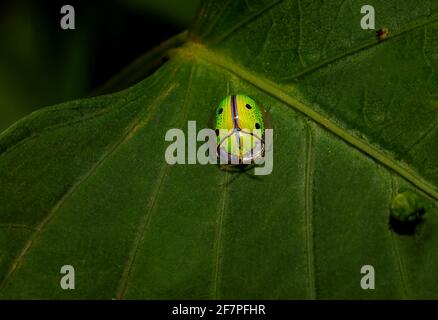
x,y
201,53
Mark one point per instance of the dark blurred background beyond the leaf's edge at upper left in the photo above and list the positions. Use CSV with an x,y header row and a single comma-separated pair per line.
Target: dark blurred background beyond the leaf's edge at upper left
x,y
42,64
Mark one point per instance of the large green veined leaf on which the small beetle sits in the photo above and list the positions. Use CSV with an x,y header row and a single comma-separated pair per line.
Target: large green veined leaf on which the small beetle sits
x,y
85,183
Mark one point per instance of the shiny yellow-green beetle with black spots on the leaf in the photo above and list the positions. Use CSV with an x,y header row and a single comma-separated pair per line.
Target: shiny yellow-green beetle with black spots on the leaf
x,y
240,129
